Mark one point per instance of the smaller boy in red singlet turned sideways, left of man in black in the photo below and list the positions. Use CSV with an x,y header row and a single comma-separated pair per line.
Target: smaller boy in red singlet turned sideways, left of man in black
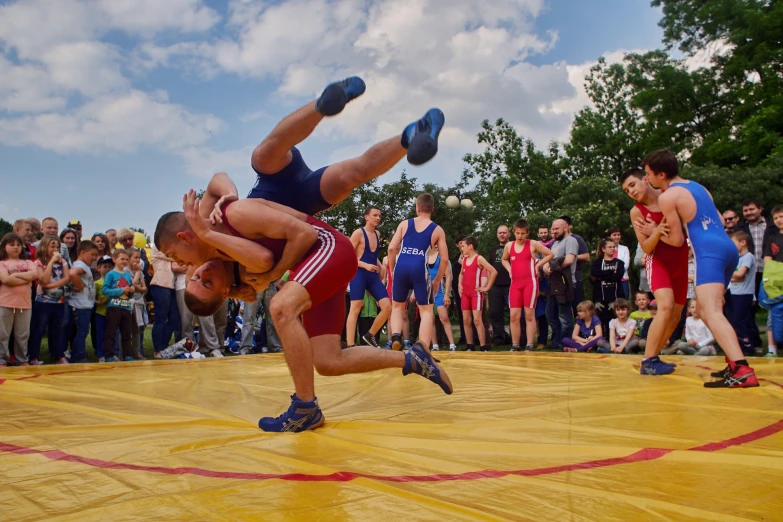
x,y
472,292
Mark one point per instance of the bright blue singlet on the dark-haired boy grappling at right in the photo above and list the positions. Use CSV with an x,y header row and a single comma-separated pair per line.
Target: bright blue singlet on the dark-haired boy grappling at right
x,y
714,252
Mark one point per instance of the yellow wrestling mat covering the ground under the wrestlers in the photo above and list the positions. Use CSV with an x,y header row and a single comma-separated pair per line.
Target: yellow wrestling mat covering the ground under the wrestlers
x,y
541,436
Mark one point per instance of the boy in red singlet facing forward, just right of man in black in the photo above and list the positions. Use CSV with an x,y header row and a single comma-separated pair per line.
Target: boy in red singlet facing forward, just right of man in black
x,y
519,259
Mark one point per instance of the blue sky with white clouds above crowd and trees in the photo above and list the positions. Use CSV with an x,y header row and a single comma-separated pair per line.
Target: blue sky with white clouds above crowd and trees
x,y
110,111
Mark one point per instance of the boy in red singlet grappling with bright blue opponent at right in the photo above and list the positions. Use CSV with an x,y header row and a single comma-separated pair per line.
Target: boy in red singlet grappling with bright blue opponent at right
x,y
666,267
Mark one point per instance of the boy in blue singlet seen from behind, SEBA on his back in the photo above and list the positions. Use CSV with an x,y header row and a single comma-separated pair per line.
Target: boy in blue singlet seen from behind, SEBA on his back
x,y
408,253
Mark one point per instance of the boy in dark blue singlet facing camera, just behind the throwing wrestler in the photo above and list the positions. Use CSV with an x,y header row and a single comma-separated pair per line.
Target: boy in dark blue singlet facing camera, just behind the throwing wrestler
x,y
366,242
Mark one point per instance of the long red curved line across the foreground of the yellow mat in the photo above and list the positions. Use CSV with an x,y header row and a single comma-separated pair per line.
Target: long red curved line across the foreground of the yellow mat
x,y
346,476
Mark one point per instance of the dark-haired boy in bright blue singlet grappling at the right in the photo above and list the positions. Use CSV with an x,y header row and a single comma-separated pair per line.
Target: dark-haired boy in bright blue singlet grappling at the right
x,y
687,204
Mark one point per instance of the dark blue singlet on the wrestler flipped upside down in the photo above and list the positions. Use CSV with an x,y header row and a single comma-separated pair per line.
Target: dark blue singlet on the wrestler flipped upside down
x,y
295,186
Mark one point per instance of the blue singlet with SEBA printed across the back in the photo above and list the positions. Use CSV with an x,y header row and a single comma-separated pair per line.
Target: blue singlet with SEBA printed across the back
x,y
410,271
